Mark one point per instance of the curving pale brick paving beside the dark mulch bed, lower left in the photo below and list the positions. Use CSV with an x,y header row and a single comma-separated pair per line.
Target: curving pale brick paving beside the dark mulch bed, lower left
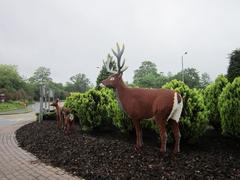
x,y
17,164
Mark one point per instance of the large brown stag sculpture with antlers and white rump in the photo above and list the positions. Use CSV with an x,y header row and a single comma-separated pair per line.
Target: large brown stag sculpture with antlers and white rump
x,y
163,105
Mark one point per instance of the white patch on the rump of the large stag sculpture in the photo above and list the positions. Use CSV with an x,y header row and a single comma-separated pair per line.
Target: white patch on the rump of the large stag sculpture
x,y
176,109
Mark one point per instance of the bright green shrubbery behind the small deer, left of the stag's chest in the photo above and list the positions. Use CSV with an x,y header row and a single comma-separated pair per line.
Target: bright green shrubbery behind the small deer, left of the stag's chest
x,y
96,109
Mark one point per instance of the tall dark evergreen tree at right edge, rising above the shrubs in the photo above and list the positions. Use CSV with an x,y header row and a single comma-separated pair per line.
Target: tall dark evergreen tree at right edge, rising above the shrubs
x,y
234,65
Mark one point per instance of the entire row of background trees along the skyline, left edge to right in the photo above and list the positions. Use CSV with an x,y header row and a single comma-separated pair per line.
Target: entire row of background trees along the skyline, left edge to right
x,y
15,87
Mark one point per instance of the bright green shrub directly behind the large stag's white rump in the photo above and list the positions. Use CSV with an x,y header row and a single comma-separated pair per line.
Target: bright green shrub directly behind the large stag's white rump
x,y
193,120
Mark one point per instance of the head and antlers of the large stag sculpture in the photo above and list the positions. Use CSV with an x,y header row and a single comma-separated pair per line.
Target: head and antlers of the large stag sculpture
x,y
115,78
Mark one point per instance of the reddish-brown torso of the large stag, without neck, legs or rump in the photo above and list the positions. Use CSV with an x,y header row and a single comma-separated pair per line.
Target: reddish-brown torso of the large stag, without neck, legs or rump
x,y
141,103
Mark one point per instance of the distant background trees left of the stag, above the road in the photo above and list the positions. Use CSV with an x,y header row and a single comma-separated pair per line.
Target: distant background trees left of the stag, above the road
x,y
15,87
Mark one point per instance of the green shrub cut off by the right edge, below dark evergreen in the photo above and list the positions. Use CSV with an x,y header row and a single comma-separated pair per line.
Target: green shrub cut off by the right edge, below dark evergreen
x,y
229,107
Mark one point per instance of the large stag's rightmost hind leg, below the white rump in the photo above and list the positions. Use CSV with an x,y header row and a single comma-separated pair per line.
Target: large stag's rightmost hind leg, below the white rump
x,y
177,135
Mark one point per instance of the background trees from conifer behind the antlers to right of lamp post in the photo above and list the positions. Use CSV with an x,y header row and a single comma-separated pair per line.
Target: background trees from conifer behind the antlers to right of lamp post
x,y
147,75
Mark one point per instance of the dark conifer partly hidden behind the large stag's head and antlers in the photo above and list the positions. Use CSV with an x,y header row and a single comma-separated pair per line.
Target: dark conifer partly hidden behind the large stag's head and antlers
x,y
104,73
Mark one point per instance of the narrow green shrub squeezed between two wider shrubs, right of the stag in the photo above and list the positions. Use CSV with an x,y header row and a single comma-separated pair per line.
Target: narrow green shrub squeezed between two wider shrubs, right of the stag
x,y
211,95
